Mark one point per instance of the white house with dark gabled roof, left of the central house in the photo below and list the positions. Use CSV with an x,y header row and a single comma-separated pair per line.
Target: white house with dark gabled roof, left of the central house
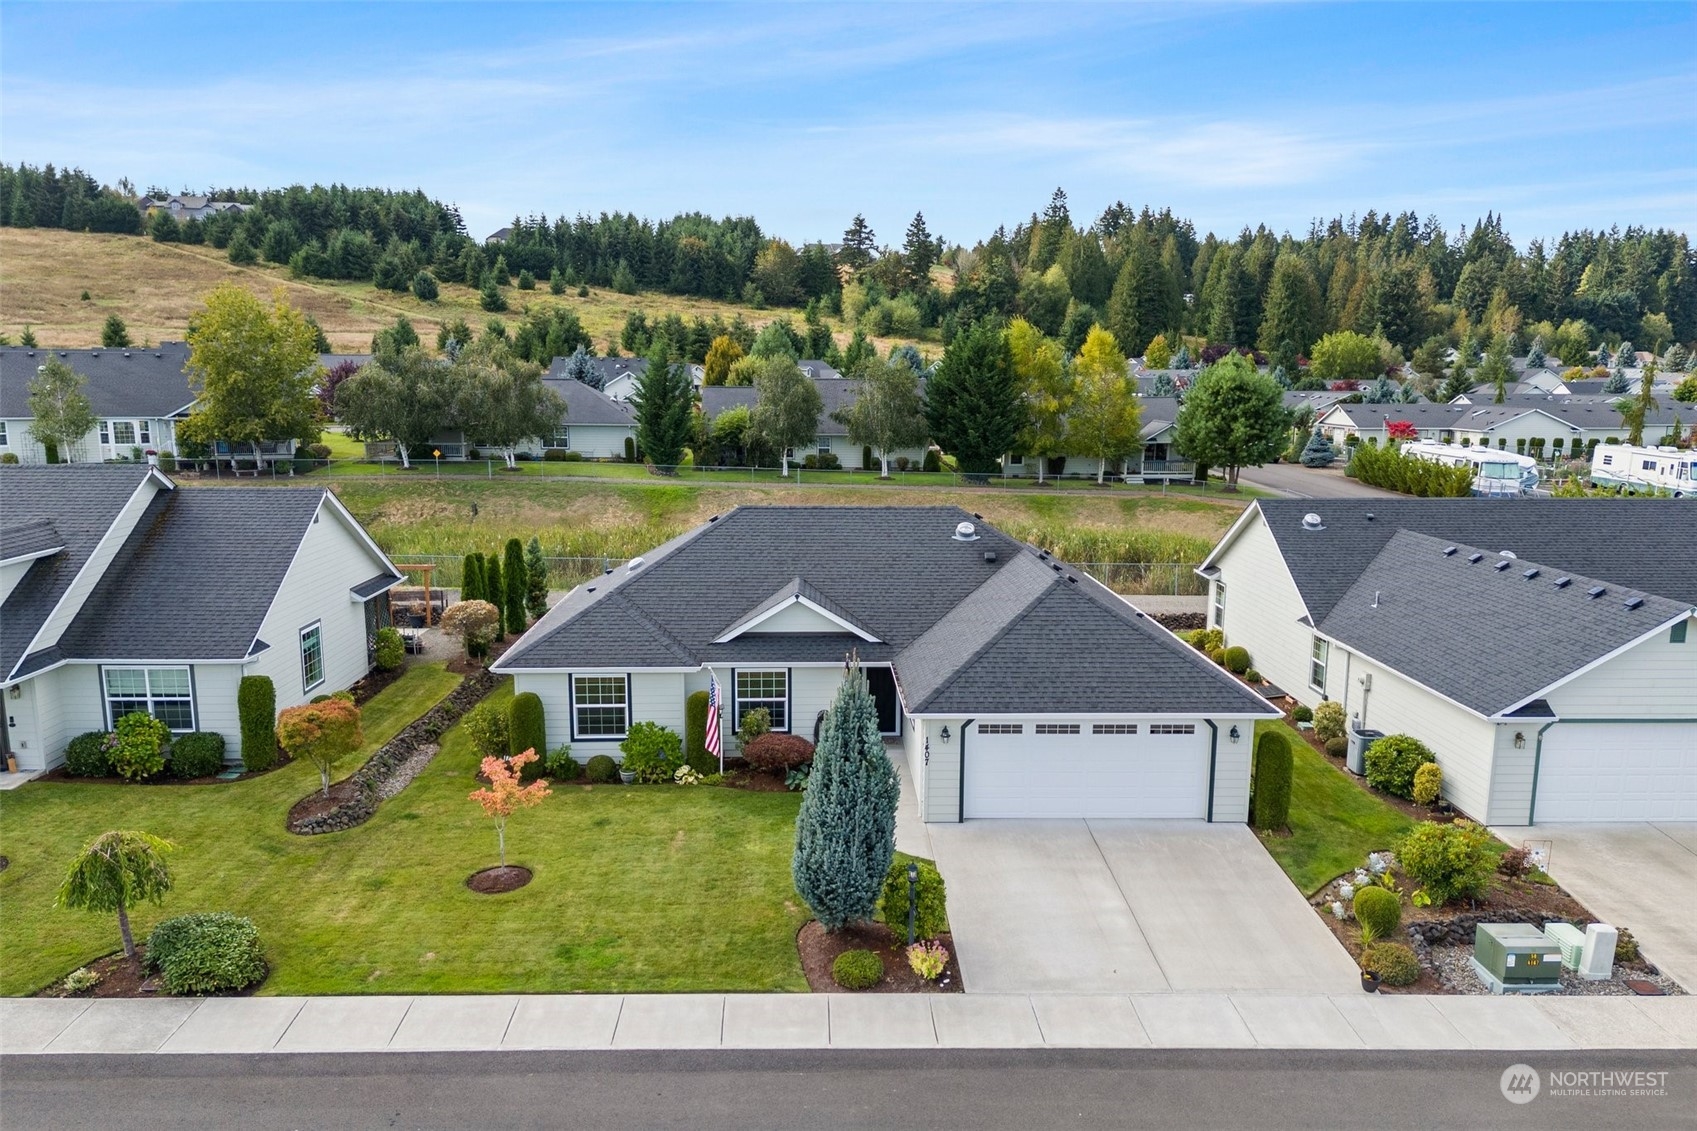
x,y
123,592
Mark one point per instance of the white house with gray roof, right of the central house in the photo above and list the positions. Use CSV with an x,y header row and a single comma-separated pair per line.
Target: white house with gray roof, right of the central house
x,y
1543,650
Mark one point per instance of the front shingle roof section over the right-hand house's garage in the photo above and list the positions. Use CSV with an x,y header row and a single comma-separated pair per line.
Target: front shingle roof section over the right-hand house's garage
x,y
1503,636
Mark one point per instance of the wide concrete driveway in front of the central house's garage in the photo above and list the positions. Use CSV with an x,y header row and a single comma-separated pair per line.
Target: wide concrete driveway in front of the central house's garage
x,y
1129,906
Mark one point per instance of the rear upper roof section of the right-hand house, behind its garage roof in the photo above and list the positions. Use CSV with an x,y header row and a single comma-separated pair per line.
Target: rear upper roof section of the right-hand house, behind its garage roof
x,y
1630,543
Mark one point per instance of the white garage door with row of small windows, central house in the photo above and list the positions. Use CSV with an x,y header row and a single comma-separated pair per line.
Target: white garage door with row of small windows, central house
x,y
1087,770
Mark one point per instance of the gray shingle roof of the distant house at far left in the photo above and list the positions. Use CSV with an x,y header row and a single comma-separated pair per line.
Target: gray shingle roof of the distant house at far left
x,y
121,383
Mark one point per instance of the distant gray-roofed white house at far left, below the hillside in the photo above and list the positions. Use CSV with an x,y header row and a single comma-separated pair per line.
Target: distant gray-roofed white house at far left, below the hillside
x,y
140,398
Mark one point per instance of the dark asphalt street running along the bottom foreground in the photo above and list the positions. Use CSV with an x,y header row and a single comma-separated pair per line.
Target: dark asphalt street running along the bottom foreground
x,y
912,1091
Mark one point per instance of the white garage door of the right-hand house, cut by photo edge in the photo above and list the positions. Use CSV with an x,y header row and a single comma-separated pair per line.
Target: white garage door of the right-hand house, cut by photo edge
x,y
1618,772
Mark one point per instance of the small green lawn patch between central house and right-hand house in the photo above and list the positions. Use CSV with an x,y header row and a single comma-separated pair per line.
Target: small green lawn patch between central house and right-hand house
x,y
1335,823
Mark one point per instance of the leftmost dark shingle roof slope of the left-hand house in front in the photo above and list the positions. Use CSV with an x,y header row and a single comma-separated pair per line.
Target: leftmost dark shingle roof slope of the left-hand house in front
x,y
81,502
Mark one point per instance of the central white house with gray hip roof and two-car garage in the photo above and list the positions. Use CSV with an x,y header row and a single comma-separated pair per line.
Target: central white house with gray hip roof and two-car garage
x,y
1017,685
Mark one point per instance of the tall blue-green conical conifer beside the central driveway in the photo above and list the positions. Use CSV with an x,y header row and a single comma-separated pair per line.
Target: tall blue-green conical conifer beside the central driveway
x,y
846,833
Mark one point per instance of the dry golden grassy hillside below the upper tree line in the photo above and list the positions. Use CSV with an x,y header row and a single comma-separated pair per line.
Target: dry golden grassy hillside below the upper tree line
x,y
157,286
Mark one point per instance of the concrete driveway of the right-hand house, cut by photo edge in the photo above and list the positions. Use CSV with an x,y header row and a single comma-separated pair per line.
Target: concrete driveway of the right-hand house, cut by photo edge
x,y
1642,877
